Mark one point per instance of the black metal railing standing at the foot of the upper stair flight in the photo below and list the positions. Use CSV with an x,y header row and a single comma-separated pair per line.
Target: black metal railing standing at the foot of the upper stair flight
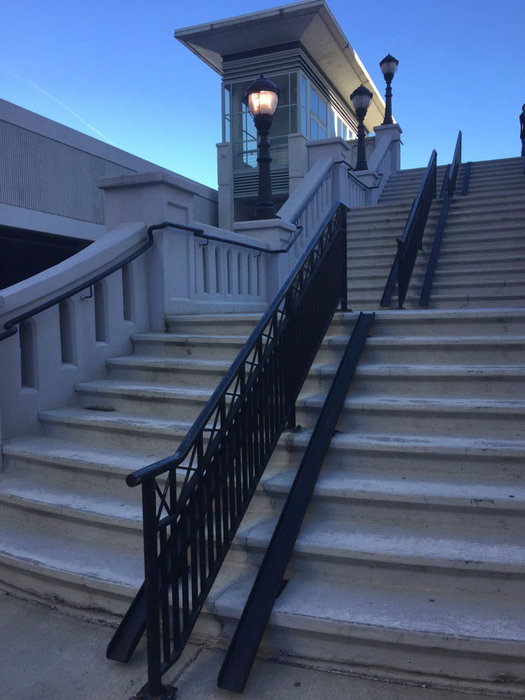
x,y
411,241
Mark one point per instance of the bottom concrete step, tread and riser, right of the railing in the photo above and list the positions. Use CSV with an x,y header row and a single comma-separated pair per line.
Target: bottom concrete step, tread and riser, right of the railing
x,y
453,636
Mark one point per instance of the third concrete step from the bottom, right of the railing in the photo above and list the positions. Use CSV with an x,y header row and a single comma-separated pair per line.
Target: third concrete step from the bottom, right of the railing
x,y
451,508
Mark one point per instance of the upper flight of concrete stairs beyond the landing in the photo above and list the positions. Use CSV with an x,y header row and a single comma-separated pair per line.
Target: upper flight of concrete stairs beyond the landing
x,y
483,250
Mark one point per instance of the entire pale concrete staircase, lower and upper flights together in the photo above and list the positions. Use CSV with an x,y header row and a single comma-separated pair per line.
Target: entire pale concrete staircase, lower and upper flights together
x,y
411,563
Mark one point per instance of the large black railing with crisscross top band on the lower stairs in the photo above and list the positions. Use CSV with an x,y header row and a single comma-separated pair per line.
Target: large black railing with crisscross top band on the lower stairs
x,y
194,501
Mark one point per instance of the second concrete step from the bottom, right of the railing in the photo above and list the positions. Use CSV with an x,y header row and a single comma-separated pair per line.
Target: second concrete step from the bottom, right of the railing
x,y
407,551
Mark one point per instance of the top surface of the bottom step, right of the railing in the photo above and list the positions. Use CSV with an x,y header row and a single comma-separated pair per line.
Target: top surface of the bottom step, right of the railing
x,y
317,603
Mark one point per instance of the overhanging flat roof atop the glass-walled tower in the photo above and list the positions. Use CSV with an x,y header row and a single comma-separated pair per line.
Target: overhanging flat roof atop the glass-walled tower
x,y
309,22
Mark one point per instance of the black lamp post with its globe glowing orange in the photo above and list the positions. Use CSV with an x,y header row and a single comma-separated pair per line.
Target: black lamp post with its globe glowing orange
x,y
261,98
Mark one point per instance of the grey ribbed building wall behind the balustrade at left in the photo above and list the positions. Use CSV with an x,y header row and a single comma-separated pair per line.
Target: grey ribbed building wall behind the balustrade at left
x,y
49,174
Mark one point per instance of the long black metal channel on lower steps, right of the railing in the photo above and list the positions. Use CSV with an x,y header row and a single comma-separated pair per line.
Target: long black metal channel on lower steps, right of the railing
x,y
248,634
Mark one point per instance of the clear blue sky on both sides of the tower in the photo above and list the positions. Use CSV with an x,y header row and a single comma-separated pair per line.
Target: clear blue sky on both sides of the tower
x,y
112,69
